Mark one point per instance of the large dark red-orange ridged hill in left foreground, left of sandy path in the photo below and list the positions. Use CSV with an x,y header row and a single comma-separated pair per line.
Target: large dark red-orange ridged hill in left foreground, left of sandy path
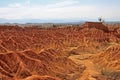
x,y
21,65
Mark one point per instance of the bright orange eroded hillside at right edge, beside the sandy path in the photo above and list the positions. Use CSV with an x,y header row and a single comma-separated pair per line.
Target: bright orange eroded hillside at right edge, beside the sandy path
x,y
110,59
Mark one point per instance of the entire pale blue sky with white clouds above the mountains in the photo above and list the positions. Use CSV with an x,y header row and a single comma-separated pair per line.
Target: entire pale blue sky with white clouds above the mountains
x,y
60,9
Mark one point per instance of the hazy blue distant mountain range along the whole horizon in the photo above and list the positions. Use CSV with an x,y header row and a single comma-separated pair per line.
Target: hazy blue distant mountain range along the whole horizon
x,y
62,21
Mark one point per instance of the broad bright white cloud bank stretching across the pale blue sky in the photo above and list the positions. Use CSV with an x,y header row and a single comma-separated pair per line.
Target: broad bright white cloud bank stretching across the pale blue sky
x,y
60,10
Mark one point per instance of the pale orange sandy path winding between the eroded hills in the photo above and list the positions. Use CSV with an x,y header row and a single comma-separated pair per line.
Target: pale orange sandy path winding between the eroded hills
x,y
90,69
